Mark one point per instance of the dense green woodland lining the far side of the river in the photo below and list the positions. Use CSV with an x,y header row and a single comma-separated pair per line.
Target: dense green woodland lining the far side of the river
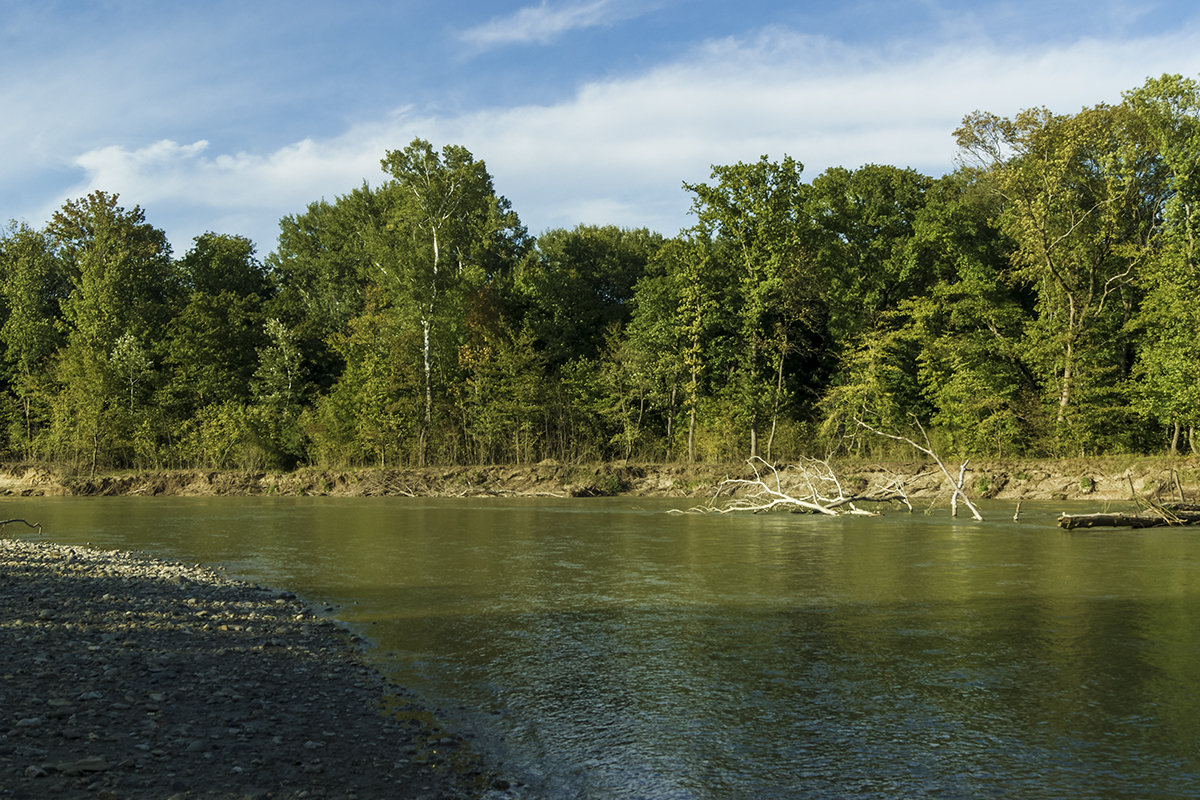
x,y
1041,300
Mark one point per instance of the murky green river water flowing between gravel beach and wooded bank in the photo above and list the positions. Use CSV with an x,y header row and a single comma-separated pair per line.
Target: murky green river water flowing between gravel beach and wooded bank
x,y
608,649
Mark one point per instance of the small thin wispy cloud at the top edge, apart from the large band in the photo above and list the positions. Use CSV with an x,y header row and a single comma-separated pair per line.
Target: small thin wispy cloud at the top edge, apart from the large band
x,y
544,23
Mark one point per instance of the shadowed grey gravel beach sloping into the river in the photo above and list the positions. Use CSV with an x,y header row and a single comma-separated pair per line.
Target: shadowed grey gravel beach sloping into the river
x,y
124,677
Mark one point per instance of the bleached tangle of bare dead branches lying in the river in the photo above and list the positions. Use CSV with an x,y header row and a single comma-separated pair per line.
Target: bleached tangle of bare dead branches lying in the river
x,y
809,488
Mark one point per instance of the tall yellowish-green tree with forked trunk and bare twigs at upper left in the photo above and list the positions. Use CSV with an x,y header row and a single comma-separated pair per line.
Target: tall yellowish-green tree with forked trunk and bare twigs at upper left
x,y
1082,201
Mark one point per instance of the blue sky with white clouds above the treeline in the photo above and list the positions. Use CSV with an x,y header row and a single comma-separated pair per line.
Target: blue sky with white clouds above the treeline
x,y
227,116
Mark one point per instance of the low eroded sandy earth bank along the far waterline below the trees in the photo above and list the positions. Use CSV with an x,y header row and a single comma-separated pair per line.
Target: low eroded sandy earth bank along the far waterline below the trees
x,y
1078,479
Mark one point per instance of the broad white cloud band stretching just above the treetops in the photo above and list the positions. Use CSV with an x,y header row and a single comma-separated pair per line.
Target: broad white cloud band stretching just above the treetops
x,y
619,152
